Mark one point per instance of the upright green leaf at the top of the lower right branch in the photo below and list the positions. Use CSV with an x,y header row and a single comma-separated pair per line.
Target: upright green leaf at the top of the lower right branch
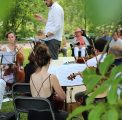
x,y
104,66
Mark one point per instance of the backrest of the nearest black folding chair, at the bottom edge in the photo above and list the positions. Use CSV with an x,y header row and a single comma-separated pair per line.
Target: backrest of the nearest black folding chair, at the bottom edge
x,y
41,105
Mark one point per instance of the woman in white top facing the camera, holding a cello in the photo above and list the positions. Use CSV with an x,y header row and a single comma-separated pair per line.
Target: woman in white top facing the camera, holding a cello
x,y
11,46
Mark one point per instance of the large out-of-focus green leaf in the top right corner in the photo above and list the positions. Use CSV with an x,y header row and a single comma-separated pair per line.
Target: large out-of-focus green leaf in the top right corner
x,y
104,11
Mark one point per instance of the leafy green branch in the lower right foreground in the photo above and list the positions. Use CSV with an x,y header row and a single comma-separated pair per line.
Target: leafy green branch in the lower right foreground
x,y
112,109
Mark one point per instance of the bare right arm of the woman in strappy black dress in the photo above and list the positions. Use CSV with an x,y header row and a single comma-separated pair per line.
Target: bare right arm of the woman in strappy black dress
x,y
58,89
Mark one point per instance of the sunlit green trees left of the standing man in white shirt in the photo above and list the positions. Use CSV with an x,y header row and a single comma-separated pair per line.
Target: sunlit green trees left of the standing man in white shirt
x,y
20,18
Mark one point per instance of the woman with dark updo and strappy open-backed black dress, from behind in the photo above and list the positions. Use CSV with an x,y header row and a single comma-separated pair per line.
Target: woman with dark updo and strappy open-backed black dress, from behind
x,y
43,84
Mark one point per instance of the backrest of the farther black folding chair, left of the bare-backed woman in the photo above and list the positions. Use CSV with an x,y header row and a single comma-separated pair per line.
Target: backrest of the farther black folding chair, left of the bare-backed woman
x,y
21,89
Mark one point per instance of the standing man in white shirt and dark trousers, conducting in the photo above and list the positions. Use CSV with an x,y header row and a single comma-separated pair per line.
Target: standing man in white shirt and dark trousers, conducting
x,y
54,27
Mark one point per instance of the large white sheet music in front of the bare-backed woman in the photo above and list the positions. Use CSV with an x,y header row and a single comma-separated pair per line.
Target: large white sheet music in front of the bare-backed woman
x,y
63,71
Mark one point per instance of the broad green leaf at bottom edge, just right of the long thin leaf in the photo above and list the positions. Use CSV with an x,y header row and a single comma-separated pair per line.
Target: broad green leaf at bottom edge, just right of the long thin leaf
x,y
96,112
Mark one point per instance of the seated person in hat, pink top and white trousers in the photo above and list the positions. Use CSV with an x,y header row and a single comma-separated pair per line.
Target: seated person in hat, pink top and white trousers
x,y
80,44
